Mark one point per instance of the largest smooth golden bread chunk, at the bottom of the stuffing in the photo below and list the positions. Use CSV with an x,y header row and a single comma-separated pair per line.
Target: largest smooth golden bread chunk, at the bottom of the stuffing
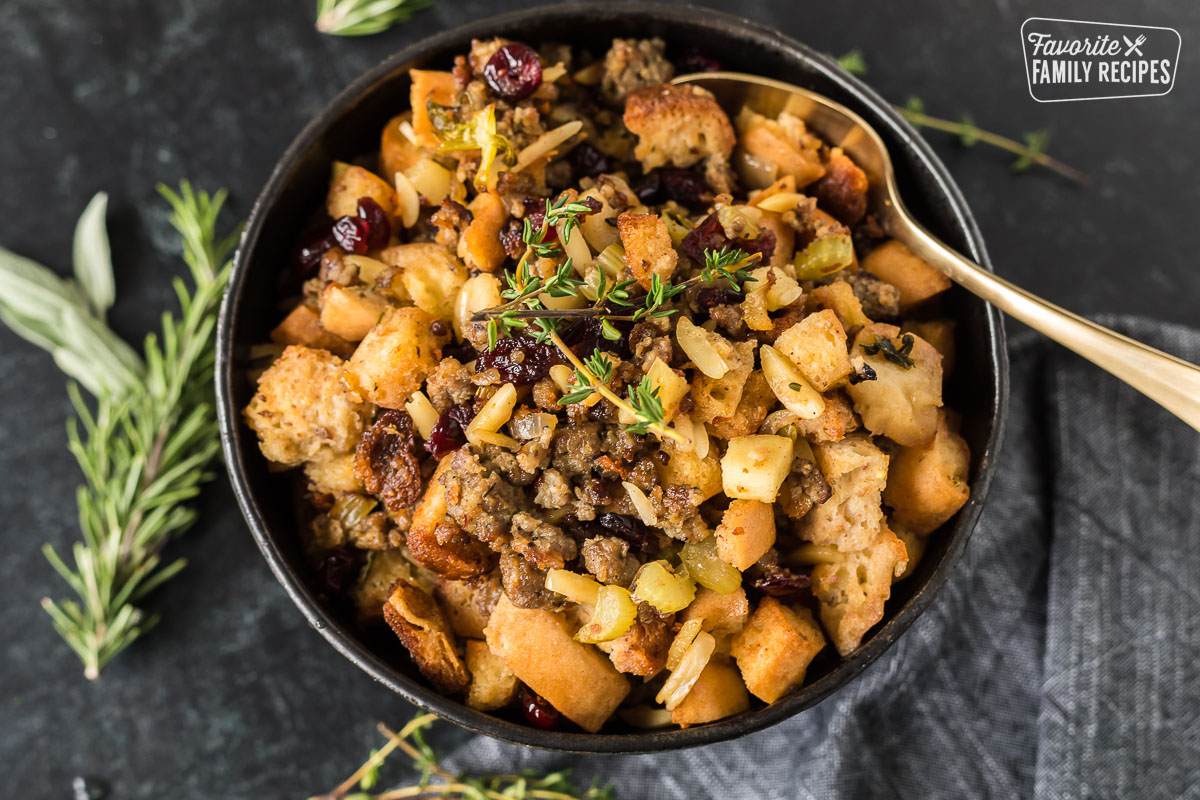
x,y
575,678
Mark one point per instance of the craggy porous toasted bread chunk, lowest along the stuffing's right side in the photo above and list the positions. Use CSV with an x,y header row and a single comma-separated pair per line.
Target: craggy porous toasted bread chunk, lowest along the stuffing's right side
x,y
854,588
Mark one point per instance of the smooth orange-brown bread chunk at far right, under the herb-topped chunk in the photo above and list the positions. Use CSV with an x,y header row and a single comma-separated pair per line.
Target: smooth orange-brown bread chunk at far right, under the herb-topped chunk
x,y
928,485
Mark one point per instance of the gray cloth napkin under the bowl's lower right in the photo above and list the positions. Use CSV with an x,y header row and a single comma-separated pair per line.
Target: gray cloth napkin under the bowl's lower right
x,y
1063,658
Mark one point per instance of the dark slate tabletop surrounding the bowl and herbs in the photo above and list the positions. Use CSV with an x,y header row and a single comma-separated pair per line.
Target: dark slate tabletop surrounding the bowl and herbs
x,y
233,696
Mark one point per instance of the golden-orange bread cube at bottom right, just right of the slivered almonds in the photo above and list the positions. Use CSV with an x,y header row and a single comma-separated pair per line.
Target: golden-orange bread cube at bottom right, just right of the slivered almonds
x,y
776,648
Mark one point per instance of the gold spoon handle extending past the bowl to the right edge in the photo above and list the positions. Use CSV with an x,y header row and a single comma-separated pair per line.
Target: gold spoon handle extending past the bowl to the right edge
x,y
1171,382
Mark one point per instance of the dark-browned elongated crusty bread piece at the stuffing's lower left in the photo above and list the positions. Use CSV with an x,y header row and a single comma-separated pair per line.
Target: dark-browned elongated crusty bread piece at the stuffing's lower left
x,y
418,622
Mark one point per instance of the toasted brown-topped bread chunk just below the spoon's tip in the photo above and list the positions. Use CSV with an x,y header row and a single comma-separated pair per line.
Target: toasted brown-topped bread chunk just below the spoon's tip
x,y
677,125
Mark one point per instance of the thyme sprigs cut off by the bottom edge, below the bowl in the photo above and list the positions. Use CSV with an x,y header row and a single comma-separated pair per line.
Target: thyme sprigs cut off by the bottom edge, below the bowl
x,y
411,741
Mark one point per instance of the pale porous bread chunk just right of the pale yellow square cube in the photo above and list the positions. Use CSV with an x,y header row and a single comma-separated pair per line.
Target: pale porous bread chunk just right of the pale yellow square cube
x,y
857,472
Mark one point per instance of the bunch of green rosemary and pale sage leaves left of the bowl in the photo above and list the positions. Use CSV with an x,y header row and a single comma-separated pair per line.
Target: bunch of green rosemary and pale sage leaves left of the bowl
x,y
146,443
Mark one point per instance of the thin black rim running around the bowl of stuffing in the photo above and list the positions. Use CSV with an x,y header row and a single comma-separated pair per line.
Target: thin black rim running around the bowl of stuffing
x,y
427,699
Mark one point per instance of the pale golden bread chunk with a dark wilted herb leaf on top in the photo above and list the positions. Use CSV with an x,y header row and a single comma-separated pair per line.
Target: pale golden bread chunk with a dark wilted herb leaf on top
x,y
902,404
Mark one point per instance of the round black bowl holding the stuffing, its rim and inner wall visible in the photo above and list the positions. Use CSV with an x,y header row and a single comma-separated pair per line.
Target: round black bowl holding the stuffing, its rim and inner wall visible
x,y
350,127
